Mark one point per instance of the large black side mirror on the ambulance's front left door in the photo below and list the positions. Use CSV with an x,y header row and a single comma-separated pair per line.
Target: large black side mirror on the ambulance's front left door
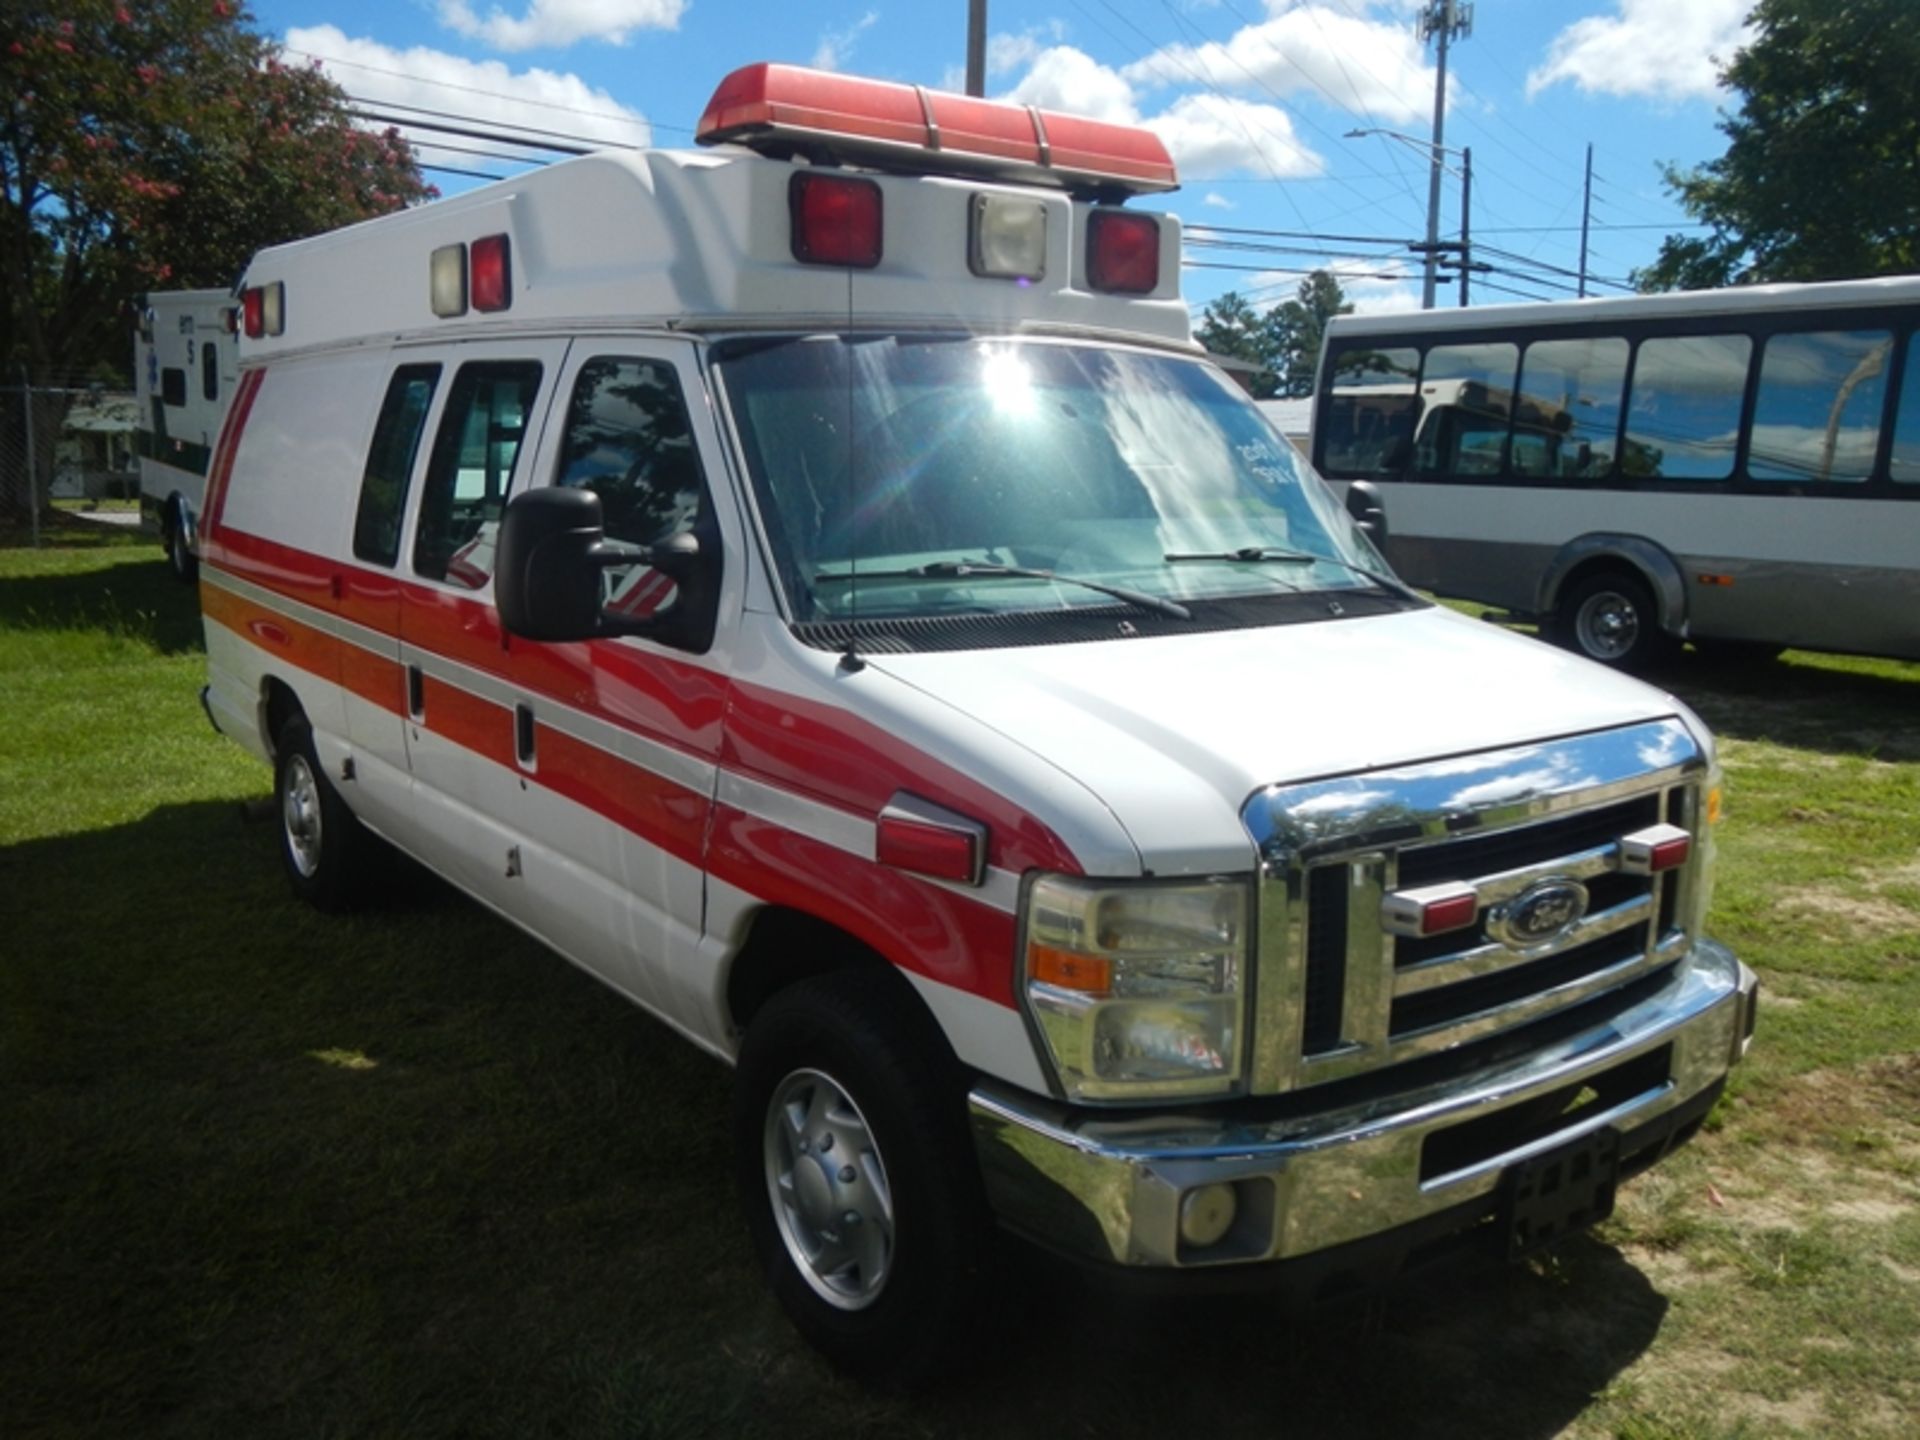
x,y
548,569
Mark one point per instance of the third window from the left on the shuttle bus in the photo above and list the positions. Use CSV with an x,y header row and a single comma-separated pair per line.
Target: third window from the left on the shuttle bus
x,y
1568,416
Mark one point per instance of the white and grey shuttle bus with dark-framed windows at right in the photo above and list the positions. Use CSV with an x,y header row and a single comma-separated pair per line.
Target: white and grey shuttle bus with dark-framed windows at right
x,y
1731,468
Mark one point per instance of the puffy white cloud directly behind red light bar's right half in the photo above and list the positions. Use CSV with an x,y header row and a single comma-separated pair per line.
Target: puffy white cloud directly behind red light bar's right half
x,y
1207,135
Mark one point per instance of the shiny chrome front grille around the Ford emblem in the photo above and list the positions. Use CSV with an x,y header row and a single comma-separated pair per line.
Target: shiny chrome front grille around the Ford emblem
x,y
1339,994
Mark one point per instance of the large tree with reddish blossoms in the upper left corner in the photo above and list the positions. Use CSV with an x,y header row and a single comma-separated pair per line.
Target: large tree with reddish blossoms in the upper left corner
x,y
156,145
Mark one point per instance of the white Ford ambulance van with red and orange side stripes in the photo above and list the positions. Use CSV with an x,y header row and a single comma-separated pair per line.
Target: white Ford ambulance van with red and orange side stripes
x,y
819,587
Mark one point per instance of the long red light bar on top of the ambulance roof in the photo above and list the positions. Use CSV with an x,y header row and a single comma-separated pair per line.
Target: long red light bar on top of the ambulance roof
x,y
788,108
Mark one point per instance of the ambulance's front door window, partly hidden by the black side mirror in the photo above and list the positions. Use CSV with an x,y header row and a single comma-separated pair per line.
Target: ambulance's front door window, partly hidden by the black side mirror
x,y
631,444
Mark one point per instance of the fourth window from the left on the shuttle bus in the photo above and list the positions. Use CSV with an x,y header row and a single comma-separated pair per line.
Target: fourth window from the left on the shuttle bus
x,y
1683,421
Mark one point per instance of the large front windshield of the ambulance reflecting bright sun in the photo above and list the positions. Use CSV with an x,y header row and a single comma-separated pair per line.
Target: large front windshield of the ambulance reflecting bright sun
x,y
923,477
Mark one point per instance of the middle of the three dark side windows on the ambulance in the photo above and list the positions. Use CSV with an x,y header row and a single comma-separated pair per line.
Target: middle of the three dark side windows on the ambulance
x,y
471,471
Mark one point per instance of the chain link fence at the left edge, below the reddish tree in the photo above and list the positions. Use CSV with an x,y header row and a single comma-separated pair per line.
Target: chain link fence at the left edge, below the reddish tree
x,y
64,444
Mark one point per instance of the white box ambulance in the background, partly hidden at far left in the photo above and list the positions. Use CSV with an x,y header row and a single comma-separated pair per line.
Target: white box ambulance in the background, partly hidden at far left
x,y
185,366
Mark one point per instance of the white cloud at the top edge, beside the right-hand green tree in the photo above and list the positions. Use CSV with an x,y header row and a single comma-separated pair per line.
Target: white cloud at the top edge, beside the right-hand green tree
x,y
1656,49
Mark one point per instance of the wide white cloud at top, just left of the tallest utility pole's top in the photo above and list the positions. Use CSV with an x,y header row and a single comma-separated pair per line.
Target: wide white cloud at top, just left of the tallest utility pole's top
x,y
1349,60
